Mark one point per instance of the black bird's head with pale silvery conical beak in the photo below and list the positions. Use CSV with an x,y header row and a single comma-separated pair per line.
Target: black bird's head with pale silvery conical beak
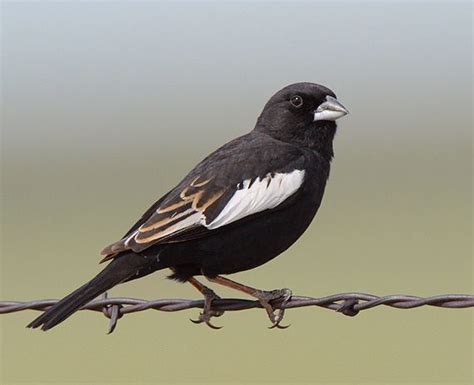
x,y
304,114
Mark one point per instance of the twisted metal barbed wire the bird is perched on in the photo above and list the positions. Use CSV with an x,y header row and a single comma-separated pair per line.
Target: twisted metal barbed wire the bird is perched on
x,y
349,304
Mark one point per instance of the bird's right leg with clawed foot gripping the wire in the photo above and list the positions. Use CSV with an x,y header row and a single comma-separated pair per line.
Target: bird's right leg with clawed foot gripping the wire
x,y
264,297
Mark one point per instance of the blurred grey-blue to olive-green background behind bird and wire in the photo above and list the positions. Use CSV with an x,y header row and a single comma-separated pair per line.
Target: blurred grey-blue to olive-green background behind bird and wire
x,y
106,105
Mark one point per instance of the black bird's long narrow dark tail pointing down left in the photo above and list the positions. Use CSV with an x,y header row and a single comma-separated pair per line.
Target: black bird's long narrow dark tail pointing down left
x,y
119,270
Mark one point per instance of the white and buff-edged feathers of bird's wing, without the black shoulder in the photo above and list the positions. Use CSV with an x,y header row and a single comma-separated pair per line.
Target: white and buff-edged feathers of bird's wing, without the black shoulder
x,y
193,207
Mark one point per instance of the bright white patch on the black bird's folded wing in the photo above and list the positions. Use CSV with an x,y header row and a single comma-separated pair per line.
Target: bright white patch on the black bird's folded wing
x,y
262,194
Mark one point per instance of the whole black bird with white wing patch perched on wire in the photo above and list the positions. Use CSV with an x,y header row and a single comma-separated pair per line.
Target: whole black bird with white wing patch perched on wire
x,y
243,205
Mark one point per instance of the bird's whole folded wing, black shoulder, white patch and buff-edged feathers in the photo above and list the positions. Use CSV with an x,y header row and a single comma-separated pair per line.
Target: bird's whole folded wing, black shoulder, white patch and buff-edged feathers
x,y
227,186
